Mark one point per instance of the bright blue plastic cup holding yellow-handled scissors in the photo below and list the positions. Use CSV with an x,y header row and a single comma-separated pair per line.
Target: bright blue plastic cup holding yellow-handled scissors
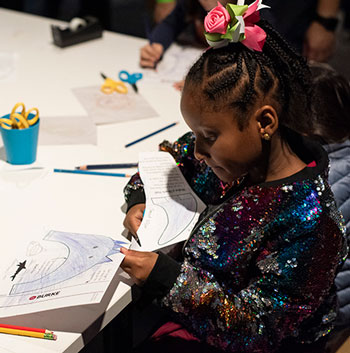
x,y
21,144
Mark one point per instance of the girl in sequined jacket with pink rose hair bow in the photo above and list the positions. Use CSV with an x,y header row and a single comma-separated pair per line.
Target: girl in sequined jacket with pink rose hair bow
x,y
257,272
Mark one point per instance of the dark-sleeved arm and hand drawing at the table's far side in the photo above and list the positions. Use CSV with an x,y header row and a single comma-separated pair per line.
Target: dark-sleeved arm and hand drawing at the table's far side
x,y
163,35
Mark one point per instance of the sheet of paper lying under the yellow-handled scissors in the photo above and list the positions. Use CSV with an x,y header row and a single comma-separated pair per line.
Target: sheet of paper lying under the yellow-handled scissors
x,y
115,107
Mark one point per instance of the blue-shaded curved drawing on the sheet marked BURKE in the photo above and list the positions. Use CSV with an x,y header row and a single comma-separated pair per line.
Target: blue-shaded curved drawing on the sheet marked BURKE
x,y
70,256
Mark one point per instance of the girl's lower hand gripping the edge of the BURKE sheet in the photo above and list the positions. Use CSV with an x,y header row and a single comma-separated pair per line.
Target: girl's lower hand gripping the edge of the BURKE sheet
x,y
138,264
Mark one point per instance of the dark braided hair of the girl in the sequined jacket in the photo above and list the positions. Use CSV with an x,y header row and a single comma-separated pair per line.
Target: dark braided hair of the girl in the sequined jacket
x,y
235,76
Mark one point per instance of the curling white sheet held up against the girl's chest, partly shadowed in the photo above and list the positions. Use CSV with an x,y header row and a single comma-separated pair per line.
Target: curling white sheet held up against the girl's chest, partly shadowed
x,y
172,208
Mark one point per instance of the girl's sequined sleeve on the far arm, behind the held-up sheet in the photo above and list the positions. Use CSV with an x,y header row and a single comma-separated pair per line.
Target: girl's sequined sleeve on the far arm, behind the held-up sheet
x,y
199,176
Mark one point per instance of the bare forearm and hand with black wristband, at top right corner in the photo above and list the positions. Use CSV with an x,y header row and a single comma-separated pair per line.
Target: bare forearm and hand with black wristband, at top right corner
x,y
319,41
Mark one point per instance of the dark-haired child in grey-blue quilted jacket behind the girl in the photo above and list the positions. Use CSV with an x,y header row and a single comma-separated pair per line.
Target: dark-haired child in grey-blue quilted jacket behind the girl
x,y
332,128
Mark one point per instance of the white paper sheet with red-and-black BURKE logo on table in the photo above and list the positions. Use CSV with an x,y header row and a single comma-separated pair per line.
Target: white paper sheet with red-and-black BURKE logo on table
x,y
63,269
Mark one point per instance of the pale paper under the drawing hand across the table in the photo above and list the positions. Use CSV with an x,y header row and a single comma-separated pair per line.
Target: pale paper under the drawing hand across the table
x,y
174,65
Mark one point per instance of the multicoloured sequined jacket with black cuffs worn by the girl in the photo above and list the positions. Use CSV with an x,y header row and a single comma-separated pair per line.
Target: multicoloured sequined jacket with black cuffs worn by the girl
x,y
259,266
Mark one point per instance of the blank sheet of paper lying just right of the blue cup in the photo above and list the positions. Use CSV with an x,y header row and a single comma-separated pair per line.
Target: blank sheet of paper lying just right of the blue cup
x,y
66,130
